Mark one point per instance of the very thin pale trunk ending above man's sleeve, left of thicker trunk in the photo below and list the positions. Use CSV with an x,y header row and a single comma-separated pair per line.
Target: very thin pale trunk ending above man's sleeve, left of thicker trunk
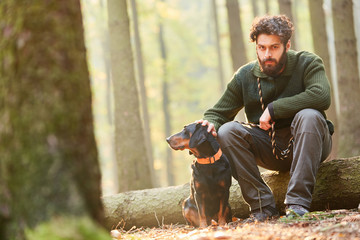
x,y
218,45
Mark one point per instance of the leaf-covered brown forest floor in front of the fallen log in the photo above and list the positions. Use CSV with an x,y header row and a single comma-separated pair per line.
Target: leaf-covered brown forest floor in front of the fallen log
x,y
335,224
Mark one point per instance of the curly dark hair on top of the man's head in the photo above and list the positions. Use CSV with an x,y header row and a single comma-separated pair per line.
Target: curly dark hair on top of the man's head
x,y
279,25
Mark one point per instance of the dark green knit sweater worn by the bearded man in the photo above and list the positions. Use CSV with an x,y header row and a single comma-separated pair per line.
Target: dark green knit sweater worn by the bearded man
x,y
302,84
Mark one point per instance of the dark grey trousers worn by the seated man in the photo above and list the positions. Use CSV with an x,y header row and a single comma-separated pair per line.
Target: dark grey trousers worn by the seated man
x,y
248,147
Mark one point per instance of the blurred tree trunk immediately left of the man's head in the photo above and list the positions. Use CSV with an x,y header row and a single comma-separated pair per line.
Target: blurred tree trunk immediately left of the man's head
x,y
237,45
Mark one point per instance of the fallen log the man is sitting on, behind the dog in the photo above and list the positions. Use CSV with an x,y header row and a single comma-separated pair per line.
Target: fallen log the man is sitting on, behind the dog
x,y
337,187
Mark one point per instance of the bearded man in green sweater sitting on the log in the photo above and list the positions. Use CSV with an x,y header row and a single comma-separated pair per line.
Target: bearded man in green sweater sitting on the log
x,y
294,93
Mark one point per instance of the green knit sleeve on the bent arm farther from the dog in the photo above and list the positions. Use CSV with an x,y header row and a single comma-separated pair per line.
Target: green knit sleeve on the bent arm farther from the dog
x,y
315,96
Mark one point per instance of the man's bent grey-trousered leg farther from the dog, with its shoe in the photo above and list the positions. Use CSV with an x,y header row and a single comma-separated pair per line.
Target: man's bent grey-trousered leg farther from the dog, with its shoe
x,y
312,145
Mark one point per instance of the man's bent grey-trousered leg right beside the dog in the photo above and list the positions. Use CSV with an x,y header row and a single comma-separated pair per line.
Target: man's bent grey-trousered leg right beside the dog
x,y
239,143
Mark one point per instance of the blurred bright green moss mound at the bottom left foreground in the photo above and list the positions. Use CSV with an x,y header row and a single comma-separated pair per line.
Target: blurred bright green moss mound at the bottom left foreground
x,y
68,228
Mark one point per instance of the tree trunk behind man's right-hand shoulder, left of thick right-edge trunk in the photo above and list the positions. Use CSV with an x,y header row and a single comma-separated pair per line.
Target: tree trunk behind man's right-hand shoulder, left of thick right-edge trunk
x,y
318,27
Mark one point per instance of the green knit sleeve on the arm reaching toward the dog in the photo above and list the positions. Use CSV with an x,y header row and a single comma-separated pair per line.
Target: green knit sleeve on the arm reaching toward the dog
x,y
228,105
